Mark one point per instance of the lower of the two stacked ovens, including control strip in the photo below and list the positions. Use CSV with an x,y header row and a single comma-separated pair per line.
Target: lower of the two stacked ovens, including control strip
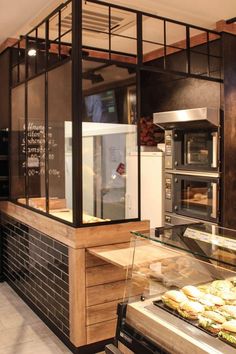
x,y
194,196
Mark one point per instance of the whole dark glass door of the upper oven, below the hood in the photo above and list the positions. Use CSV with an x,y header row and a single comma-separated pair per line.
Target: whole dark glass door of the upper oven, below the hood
x,y
196,150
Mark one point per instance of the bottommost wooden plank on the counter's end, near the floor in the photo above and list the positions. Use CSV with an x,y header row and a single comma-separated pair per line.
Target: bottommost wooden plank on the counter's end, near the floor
x,y
101,331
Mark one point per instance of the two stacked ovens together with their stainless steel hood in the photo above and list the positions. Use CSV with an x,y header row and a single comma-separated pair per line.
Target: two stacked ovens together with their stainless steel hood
x,y
191,164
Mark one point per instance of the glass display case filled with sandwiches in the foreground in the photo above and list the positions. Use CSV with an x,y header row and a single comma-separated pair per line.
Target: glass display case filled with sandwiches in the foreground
x,y
180,291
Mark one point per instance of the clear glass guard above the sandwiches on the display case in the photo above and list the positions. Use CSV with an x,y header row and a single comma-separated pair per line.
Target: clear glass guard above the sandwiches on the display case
x,y
172,257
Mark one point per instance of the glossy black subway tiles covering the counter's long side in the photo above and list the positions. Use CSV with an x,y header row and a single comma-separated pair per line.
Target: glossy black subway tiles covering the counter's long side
x,y
38,266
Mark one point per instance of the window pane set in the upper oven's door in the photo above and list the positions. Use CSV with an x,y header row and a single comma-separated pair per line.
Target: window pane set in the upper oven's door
x,y
197,148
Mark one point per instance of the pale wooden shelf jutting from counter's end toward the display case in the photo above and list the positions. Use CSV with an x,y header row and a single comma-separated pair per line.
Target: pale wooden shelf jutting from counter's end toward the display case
x,y
121,255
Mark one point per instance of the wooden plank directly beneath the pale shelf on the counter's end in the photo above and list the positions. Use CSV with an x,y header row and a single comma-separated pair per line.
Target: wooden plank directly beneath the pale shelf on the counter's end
x,y
104,274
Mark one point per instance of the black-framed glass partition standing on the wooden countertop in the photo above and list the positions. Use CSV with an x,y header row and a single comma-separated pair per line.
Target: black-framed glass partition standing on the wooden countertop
x,y
86,65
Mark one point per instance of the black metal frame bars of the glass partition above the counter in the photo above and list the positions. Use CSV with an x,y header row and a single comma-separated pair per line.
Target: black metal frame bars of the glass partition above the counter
x,y
76,53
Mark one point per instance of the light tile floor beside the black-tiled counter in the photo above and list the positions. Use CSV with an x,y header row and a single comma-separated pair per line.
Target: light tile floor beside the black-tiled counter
x,y
21,330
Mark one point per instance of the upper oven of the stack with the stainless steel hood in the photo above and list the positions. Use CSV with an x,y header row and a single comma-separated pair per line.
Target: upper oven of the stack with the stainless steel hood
x,y
191,138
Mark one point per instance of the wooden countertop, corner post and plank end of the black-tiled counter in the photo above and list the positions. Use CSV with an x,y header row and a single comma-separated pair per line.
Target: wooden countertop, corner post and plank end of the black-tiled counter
x,y
95,285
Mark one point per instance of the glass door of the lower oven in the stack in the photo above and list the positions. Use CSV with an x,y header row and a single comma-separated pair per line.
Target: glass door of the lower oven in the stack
x,y
196,197
